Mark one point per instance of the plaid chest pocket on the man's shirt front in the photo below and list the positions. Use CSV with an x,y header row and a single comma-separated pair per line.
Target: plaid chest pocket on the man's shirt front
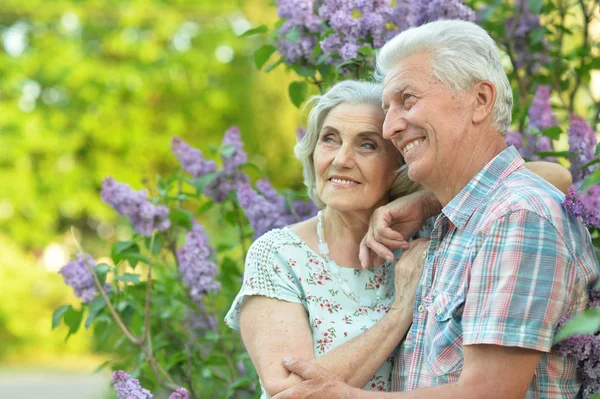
x,y
443,335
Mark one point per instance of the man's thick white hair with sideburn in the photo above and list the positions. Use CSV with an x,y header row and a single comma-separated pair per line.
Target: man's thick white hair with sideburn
x,y
462,54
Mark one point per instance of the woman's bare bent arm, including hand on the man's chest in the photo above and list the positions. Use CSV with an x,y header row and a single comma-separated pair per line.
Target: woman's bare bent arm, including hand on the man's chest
x,y
272,329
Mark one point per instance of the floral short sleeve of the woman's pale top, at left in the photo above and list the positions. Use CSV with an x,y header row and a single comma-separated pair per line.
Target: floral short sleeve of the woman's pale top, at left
x,y
267,273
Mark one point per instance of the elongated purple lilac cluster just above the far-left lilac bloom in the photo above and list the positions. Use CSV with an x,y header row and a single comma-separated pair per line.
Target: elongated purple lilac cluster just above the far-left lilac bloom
x,y
143,215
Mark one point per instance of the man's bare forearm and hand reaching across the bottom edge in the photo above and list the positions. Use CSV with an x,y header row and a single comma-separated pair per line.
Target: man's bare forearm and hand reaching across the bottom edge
x,y
491,372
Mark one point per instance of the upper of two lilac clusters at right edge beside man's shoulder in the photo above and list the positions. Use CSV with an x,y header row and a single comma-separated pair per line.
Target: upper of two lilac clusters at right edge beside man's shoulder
x,y
582,143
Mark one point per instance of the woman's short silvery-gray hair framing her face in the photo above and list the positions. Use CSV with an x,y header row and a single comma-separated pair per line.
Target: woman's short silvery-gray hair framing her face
x,y
345,92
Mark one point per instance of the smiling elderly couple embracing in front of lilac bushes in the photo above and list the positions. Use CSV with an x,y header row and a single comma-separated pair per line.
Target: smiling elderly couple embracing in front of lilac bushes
x,y
463,307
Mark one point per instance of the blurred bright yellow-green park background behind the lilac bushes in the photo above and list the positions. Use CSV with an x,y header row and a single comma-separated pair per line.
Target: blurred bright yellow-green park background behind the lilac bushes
x,y
98,88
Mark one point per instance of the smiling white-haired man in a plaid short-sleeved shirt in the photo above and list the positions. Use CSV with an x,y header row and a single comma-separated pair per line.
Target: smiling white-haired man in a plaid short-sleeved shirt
x,y
506,261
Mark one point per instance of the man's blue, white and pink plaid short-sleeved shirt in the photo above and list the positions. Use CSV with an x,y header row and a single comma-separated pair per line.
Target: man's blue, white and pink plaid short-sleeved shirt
x,y
505,263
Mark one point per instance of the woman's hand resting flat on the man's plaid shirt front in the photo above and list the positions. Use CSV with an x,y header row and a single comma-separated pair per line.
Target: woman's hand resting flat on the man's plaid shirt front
x,y
408,273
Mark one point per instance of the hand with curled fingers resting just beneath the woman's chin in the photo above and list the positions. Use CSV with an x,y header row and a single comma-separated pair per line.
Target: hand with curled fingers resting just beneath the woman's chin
x,y
392,225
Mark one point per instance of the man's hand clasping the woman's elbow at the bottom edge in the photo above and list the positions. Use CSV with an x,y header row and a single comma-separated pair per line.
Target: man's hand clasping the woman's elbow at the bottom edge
x,y
318,382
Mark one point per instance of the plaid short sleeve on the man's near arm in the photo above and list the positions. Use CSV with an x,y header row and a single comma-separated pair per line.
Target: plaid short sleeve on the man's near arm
x,y
520,284
